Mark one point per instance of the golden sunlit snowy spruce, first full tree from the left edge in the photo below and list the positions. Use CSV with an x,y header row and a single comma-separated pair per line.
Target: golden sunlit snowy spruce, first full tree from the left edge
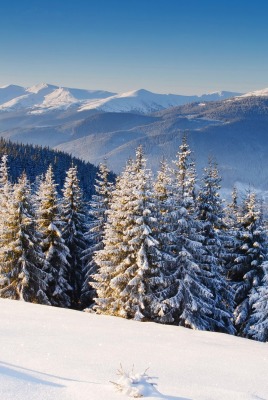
x,y
23,264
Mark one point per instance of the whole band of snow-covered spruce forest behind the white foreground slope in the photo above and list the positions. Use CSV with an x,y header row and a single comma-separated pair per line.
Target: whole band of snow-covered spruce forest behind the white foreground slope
x,y
162,248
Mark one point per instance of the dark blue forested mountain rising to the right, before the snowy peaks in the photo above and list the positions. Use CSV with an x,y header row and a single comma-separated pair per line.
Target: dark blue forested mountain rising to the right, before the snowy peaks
x,y
234,132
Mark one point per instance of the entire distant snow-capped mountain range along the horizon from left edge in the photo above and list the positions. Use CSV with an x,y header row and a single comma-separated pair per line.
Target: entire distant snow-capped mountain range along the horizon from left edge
x,y
43,98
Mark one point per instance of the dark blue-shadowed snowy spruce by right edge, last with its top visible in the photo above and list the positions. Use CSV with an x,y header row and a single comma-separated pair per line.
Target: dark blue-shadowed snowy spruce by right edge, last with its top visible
x,y
246,272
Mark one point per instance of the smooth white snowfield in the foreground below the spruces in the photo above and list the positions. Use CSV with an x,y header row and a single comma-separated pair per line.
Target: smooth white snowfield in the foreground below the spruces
x,y
51,353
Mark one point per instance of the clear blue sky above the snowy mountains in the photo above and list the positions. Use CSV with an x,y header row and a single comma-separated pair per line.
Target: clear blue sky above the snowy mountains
x,y
166,46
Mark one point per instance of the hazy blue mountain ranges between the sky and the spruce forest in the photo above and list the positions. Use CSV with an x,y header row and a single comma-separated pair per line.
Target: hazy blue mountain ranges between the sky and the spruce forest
x,y
95,124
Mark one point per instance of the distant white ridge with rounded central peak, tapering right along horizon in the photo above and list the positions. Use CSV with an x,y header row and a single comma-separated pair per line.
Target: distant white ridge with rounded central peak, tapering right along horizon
x,y
145,102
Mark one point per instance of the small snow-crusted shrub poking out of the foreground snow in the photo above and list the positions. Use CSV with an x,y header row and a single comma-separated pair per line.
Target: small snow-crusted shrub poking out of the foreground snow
x,y
134,384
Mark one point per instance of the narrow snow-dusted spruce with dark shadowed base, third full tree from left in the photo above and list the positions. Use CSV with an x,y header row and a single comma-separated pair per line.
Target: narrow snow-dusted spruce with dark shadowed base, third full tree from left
x,y
73,232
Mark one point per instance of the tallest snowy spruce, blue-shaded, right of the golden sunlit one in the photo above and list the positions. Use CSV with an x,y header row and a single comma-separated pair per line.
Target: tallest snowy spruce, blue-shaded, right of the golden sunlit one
x,y
189,299
